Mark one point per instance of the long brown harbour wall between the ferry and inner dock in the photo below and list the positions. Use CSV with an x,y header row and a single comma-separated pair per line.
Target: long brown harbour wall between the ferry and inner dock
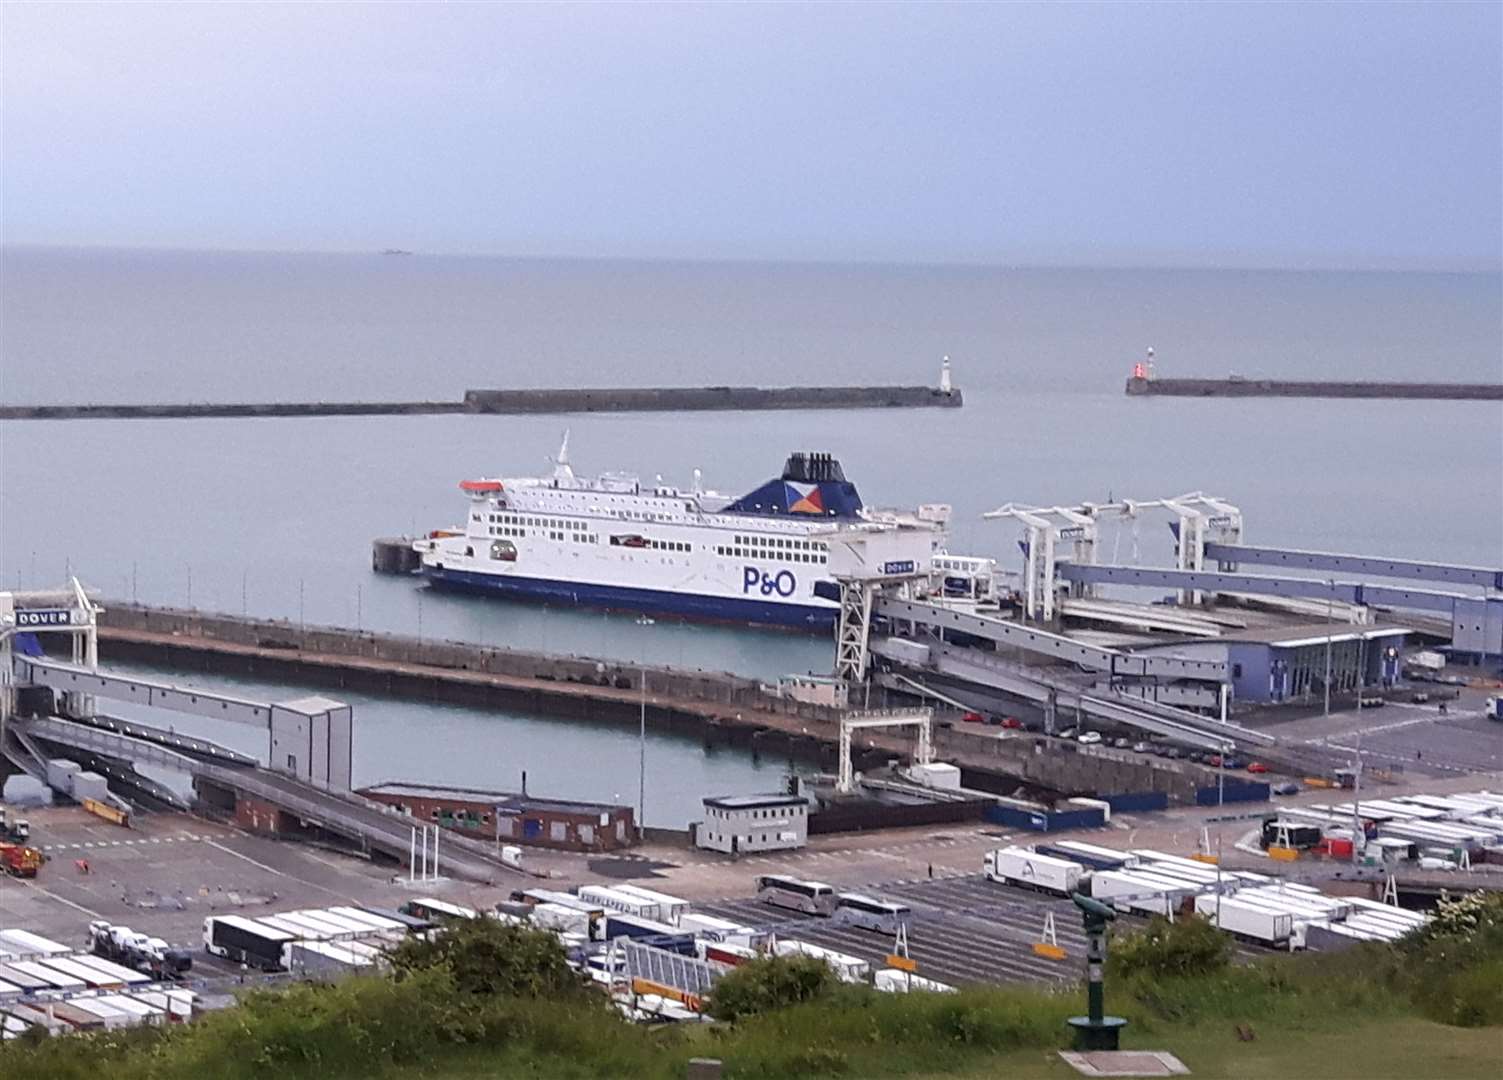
x,y
715,707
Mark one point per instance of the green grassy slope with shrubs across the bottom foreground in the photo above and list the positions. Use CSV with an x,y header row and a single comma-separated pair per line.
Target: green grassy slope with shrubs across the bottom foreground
x,y
461,1013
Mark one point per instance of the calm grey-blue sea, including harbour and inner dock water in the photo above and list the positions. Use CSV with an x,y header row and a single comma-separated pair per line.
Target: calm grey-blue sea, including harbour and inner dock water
x,y
276,517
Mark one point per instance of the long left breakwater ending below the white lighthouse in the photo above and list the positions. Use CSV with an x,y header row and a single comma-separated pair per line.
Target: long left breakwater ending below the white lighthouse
x,y
525,402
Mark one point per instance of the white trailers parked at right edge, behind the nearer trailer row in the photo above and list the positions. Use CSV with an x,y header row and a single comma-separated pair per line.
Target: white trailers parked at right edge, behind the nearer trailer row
x,y
1427,827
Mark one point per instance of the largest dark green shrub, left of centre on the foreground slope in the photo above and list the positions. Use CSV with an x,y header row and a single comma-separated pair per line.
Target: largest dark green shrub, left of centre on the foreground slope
x,y
492,958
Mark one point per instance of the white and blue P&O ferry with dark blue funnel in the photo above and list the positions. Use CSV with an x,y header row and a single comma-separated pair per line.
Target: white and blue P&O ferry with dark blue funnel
x,y
617,543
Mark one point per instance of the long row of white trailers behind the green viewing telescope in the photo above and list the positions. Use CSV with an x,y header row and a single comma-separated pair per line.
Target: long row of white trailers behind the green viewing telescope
x,y
1253,907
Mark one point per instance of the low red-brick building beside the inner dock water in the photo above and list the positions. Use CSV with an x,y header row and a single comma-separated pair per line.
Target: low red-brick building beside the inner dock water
x,y
516,819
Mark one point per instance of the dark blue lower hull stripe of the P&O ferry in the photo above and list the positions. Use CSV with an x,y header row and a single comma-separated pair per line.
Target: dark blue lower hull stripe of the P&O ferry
x,y
652,602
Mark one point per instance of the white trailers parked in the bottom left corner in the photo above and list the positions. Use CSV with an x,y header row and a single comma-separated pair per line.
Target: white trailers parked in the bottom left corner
x,y
56,989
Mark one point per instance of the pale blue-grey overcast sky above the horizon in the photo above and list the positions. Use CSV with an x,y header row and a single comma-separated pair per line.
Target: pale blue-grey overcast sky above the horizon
x,y
1245,134
